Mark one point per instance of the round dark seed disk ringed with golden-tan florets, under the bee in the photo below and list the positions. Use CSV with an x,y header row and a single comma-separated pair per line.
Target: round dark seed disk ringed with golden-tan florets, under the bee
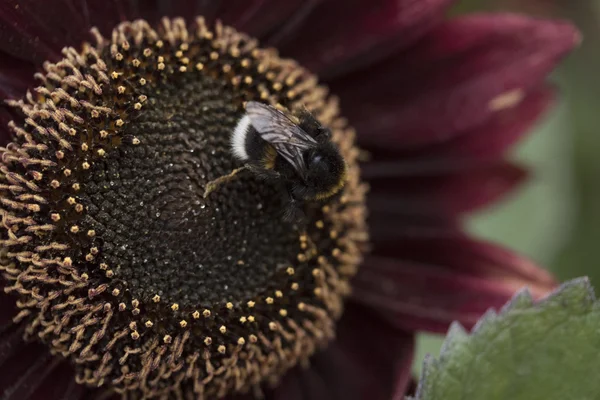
x,y
119,260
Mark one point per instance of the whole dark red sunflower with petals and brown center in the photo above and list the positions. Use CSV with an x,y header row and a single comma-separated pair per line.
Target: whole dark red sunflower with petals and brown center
x,y
125,278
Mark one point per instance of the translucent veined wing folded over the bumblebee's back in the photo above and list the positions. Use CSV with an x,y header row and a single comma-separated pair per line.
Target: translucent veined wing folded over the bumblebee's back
x,y
289,140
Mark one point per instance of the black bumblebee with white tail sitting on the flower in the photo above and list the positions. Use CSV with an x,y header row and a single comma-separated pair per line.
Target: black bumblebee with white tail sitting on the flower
x,y
294,150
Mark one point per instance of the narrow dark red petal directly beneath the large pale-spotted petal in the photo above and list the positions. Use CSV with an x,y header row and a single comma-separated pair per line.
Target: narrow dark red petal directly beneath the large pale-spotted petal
x,y
483,145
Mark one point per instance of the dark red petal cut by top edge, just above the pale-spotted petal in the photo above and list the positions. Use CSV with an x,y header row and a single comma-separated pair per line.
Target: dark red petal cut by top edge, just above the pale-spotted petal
x,y
342,35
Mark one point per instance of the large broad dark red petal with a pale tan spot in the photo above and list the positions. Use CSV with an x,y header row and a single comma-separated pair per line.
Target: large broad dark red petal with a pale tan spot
x,y
455,80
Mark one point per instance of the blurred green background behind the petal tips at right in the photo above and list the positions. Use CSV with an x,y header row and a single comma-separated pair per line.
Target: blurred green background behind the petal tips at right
x,y
554,218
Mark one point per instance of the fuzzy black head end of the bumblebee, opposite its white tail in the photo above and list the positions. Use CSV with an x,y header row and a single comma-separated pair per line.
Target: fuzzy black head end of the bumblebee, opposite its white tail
x,y
325,171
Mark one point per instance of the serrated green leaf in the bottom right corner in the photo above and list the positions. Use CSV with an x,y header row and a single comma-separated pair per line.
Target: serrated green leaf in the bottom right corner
x,y
529,351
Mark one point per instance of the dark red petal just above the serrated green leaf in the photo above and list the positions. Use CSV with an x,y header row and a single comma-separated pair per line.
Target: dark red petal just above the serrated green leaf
x,y
423,279
